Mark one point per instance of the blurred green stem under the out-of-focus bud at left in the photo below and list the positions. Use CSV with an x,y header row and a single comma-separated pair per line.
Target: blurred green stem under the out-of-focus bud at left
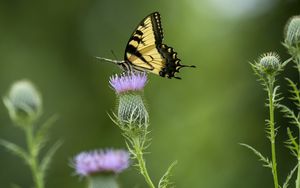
x,y
33,158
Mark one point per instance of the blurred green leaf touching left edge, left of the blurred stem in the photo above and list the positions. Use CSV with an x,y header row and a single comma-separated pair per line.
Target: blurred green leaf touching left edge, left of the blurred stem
x,y
16,150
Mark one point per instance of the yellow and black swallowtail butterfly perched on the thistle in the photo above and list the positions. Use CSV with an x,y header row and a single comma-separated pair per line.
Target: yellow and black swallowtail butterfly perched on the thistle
x,y
145,51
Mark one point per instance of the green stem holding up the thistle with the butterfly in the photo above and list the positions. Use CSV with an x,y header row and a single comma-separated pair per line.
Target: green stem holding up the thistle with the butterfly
x,y
141,162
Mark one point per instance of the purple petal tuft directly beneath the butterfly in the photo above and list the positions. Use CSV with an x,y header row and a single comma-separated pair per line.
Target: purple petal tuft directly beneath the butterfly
x,y
131,81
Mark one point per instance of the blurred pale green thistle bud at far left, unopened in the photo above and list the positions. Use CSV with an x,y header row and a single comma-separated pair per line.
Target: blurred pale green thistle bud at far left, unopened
x,y
23,102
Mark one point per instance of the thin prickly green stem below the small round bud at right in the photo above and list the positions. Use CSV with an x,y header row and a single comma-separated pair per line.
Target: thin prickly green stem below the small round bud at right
x,y
272,132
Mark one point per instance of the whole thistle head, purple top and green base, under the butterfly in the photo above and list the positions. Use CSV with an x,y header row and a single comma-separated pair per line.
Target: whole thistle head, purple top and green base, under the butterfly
x,y
131,108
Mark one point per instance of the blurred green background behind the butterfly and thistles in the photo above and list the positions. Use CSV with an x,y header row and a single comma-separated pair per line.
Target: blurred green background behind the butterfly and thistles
x,y
198,121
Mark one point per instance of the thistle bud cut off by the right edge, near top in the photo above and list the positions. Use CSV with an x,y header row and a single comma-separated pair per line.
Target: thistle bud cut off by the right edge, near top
x,y
292,32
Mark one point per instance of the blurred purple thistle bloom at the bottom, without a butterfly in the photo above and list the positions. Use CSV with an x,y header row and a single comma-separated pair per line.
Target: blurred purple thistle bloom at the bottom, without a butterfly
x,y
98,161
